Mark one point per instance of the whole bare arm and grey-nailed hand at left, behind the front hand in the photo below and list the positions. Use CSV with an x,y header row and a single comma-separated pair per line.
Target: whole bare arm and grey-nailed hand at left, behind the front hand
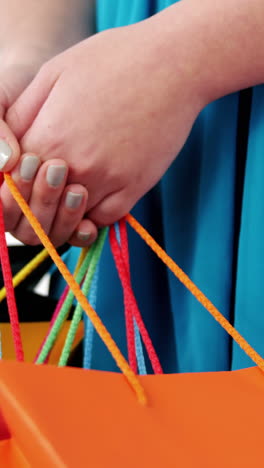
x,y
24,49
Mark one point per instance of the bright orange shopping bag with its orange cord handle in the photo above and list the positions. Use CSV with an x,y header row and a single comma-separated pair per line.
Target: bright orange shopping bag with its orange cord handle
x,y
66,417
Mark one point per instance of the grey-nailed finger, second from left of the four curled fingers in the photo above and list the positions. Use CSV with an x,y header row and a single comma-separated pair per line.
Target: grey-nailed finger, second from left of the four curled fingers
x,y
45,198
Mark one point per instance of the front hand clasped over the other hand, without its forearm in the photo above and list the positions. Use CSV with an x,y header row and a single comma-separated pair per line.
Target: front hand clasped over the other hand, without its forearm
x,y
115,109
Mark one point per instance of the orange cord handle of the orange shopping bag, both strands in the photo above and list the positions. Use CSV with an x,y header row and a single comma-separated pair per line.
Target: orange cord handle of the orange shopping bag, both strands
x,y
98,325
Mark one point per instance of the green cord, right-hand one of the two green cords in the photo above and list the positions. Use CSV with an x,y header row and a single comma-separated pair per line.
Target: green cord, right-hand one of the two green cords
x,y
77,316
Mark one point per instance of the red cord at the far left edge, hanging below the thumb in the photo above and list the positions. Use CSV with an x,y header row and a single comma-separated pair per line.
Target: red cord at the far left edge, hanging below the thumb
x,y
8,282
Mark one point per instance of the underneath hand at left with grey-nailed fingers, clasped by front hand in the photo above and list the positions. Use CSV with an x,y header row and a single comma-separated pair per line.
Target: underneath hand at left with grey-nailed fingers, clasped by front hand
x,y
59,207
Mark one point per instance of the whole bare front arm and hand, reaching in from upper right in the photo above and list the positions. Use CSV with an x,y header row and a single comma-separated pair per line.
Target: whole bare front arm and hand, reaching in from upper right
x,y
147,84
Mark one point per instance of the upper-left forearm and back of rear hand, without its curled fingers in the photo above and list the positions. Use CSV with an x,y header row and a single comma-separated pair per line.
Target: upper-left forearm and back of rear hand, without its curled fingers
x,y
31,33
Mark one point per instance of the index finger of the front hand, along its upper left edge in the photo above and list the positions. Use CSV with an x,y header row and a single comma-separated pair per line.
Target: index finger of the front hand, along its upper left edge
x,y
25,109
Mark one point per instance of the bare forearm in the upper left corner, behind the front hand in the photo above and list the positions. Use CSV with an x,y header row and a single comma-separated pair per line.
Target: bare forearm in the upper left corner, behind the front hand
x,y
31,22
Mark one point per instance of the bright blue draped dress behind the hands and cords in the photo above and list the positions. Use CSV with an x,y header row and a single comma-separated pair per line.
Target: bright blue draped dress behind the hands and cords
x,y
208,213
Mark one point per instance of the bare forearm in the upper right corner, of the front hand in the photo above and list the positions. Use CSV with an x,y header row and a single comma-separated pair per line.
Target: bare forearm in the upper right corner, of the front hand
x,y
217,44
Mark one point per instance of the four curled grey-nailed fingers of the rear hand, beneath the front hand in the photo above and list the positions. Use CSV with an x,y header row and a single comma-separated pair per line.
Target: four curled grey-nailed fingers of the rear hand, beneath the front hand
x,y
58,207
